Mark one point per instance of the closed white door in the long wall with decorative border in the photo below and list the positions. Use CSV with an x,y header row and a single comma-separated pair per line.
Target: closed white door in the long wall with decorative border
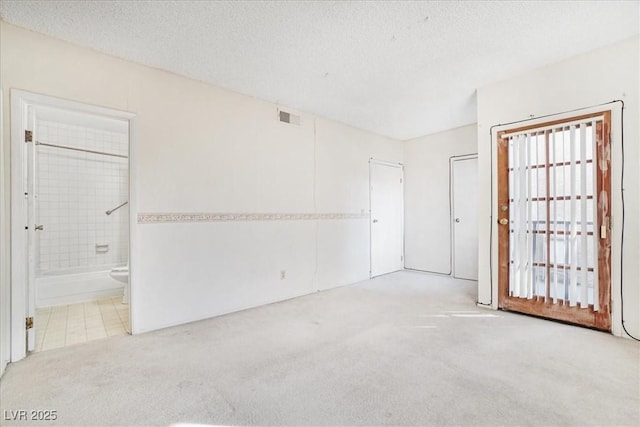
x,y
387,215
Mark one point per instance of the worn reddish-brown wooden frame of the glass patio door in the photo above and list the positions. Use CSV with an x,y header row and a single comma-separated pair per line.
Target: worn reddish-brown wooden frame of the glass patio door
x,y
541,306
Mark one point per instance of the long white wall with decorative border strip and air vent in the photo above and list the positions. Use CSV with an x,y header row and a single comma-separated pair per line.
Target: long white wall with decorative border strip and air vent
x,y
200,148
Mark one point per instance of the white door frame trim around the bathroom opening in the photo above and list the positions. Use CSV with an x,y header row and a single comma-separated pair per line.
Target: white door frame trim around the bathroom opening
x,y
20,101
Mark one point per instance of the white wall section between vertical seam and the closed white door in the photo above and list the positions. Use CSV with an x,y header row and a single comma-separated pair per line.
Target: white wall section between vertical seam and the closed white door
x,y
343,186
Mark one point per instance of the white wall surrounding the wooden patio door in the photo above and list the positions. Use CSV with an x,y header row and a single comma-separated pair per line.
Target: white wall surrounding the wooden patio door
x,y
587,80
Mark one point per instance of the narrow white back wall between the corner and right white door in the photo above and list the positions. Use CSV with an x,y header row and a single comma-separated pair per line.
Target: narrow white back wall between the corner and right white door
x,y
426,195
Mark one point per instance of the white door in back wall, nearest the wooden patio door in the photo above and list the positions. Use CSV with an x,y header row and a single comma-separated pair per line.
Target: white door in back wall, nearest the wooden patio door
x,y
464,177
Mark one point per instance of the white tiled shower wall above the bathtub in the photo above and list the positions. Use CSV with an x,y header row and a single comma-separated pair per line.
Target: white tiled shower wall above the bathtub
x,y
74,190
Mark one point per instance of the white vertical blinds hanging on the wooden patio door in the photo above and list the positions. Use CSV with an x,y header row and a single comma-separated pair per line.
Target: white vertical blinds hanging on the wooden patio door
x,y
553,237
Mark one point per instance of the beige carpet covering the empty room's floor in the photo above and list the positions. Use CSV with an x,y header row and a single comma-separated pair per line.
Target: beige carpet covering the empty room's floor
x,y
403,349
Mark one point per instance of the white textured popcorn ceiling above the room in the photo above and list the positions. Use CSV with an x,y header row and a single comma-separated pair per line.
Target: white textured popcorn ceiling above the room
x,y
401,69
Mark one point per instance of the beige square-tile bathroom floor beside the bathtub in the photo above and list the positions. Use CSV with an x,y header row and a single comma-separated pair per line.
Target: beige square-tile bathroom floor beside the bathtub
x,y
65,325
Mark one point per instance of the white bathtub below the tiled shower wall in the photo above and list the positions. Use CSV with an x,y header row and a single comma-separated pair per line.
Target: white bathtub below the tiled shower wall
x,y
72,287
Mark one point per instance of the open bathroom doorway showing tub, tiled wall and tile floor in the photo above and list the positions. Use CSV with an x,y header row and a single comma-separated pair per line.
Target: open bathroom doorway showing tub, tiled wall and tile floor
x,y
71,225
